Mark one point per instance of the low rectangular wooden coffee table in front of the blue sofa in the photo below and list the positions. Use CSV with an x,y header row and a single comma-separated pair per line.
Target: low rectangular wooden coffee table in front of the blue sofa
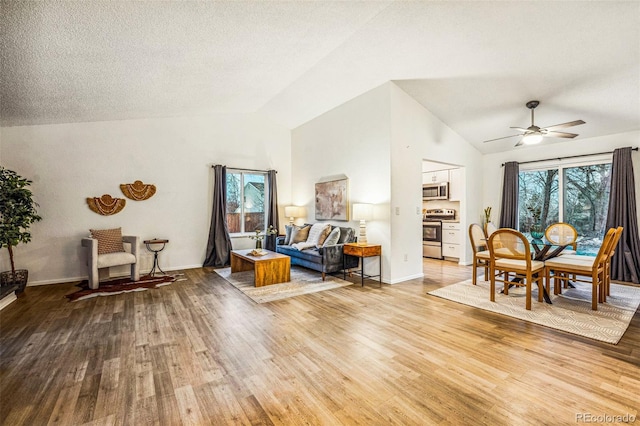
x,y
271,268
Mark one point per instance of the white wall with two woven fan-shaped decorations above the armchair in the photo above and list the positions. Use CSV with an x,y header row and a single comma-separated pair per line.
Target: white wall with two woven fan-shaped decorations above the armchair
x,y
70,162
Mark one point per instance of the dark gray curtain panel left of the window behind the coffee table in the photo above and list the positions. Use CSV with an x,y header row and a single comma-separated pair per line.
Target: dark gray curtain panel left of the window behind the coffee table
x,y
219,244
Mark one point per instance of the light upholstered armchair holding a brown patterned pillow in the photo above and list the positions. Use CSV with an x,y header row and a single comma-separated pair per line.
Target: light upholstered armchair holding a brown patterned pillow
x,y
97,261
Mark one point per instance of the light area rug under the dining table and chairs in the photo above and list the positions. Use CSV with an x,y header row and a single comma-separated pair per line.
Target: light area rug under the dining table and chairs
x,y
570,312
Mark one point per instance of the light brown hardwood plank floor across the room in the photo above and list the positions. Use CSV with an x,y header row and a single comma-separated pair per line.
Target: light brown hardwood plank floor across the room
x,y
199,352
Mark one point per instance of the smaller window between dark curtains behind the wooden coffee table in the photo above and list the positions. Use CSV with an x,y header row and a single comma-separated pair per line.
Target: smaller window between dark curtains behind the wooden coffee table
x,y
246,195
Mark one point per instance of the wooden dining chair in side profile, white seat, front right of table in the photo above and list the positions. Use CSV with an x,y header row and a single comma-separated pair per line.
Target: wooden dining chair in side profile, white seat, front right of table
x,y
594,269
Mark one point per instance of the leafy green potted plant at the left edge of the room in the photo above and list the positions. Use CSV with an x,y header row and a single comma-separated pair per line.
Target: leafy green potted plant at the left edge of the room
x,y
17,213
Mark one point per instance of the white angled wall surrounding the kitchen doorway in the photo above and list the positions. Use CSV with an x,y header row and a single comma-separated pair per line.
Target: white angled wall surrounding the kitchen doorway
x,y
418,135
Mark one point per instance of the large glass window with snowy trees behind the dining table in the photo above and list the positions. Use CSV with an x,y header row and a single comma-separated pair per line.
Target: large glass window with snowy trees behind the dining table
x,y
576,194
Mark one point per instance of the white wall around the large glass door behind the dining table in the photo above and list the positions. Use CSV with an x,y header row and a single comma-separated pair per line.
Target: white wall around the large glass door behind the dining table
x,y
493,170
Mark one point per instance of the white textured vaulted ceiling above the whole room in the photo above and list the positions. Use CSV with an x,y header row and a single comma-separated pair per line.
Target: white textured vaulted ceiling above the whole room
x,y
473,64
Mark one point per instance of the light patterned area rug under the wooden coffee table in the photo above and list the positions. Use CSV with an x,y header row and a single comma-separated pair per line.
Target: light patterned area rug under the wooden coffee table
x,y
303,281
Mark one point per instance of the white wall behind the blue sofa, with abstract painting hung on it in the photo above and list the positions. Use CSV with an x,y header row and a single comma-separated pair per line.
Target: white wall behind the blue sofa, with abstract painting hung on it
x,y
350,140
